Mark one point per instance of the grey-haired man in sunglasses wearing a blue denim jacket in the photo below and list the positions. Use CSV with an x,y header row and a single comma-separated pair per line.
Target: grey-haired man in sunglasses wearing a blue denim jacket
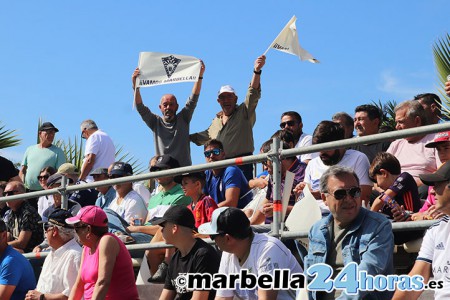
x,y
349,233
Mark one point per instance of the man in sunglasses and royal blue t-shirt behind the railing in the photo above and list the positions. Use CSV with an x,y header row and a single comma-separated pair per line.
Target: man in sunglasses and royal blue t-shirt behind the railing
x,y
227,186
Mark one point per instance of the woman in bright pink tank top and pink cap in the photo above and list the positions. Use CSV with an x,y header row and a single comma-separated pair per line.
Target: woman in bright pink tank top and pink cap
x,y
106,270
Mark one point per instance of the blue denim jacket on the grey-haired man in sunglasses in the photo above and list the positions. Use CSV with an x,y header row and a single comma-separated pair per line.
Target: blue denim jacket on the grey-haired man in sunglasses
x,y
369,242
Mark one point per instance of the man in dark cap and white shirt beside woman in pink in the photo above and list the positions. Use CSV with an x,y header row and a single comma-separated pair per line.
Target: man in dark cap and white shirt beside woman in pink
x,y
61,266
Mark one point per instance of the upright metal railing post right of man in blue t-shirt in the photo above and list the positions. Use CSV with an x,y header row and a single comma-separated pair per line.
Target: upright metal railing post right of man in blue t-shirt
x,y
276,191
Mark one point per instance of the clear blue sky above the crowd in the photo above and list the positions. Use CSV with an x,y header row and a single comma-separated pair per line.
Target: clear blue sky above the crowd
x,y
66,62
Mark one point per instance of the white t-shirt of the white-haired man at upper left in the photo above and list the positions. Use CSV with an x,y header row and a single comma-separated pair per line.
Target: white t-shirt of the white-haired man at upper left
x,y
100,144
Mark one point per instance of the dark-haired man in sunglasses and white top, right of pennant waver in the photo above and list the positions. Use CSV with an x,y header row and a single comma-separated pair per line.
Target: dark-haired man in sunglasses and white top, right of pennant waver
x,y
292,121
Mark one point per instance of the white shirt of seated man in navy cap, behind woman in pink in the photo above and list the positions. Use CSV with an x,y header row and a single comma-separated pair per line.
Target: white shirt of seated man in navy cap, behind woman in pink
x,y
130,207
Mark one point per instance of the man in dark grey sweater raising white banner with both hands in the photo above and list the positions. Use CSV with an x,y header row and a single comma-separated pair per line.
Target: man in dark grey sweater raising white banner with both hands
x,y
171,131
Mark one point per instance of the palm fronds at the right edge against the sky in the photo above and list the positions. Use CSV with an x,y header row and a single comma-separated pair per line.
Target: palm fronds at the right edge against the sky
x,y
441,52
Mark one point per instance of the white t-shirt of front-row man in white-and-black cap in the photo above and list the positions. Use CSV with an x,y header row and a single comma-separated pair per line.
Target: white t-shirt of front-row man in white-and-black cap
x,y
266,254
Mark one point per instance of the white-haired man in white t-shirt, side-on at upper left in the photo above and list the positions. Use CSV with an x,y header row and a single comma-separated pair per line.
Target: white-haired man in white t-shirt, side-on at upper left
x,y
99,151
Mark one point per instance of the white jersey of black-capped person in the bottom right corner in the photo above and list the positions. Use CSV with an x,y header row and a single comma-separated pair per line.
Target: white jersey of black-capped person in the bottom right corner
x,y
435,250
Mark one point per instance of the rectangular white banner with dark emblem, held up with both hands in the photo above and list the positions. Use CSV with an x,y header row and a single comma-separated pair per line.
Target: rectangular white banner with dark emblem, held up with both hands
x,y
162,68
